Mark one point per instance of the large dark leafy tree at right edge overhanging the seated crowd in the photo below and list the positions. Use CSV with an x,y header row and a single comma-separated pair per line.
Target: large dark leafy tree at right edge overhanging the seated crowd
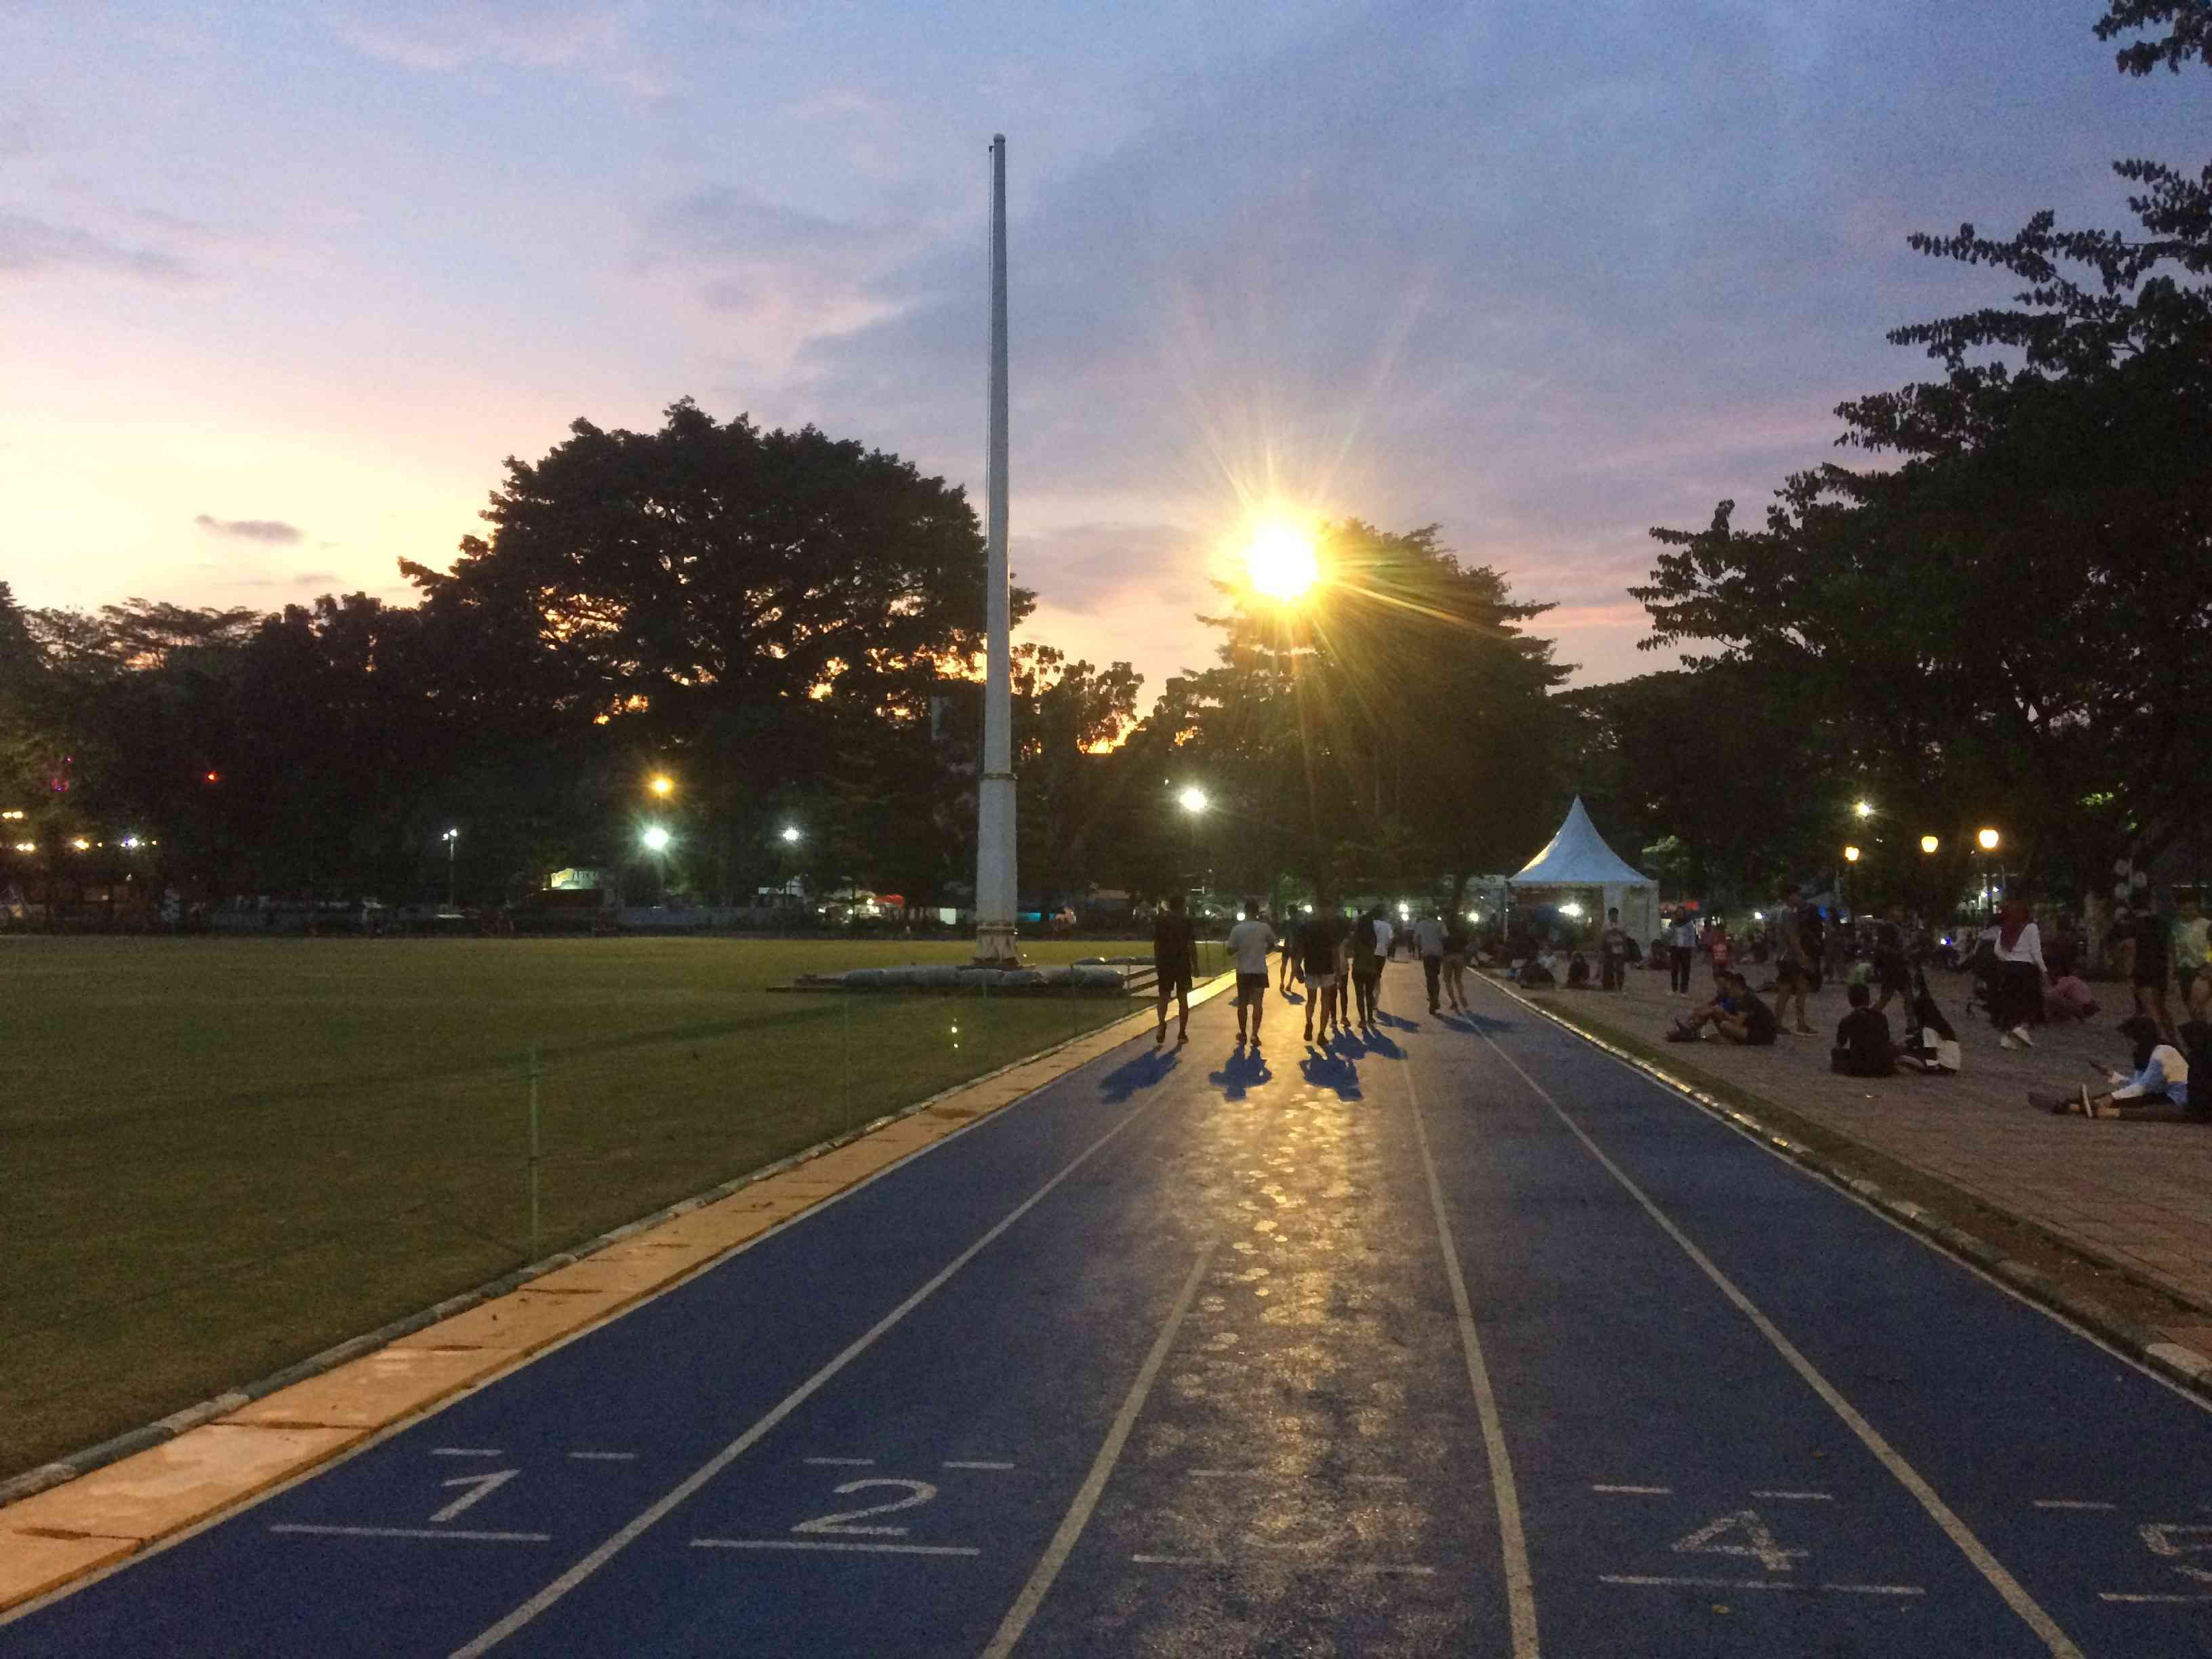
x,y
2010,614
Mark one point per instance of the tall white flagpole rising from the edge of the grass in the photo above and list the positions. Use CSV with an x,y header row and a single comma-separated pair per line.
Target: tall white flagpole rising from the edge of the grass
x,y
994,795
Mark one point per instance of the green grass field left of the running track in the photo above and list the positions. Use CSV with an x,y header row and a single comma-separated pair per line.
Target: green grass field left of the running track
x,y
225,1156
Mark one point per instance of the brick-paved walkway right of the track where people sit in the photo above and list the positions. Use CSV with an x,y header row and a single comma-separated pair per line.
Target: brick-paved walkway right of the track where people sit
x,y
2133,1193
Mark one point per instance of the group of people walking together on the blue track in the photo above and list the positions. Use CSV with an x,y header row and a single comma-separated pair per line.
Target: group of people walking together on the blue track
x,y
1339,959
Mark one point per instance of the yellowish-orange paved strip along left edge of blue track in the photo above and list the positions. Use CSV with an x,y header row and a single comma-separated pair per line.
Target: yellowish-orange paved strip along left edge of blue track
x,y
63,1534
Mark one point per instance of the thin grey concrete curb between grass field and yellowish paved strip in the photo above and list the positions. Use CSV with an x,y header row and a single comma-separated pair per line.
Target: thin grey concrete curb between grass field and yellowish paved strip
x,y
154,1434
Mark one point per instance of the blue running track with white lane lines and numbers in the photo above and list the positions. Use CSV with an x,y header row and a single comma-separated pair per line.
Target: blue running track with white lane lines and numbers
x,y
1465,1342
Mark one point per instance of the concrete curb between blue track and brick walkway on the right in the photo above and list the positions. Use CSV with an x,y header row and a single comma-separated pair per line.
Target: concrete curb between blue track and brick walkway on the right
x,y
2169,1359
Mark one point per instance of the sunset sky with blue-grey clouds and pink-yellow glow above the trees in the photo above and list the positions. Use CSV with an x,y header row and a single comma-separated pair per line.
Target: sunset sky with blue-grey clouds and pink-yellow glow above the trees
x,y
282,286
